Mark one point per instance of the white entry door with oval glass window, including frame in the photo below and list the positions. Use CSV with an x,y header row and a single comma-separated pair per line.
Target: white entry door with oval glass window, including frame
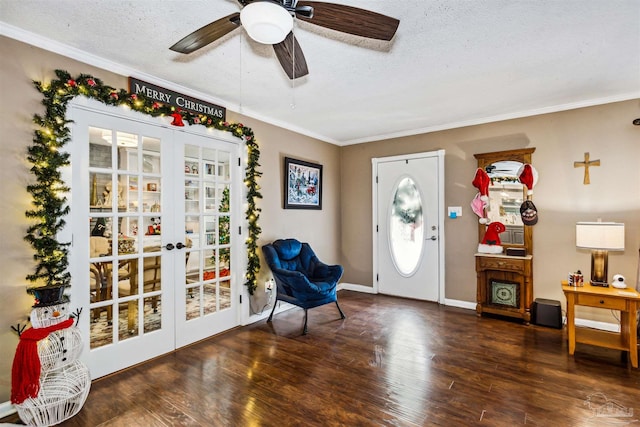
x,y
409,226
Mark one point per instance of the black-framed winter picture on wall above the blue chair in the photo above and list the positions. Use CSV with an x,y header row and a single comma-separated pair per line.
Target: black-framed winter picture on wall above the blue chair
x,y
302,184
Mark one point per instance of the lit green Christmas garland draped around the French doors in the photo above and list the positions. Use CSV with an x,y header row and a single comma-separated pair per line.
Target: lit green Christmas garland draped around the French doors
x,y
48,193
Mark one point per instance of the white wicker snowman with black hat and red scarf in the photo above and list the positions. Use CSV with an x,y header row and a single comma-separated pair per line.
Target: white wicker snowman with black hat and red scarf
x,y
49,384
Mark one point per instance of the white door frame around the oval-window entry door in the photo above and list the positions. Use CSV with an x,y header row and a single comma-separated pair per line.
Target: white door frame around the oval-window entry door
x,y
374,173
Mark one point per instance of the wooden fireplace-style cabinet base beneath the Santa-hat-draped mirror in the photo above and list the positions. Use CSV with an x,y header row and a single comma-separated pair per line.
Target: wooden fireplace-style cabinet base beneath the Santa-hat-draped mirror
x,y
505,285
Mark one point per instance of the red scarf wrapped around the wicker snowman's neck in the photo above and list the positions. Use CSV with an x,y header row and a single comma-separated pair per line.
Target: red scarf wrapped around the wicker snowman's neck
x,y
25,373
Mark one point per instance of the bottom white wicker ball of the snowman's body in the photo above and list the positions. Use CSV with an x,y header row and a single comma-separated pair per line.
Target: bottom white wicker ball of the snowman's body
x,y
62,394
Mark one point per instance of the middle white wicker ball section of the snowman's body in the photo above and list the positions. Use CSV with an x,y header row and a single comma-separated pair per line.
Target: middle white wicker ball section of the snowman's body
x,y
59,348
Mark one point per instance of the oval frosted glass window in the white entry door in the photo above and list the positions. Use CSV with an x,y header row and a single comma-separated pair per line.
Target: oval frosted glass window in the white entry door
x,y
406,227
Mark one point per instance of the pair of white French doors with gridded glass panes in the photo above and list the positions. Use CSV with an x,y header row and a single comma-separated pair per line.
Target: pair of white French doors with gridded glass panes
x,y
152,210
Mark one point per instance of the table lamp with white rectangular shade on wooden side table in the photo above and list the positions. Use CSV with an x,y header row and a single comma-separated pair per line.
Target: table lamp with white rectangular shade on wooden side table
x,y
600,237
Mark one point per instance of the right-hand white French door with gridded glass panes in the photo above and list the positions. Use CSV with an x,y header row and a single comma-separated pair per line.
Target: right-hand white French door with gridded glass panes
x,y
206,300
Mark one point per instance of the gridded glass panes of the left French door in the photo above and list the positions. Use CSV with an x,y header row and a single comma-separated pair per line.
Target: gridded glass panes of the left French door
x,y
125,216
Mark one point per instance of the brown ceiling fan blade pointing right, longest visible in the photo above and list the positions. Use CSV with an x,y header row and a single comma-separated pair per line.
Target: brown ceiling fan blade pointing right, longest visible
x,y
351,20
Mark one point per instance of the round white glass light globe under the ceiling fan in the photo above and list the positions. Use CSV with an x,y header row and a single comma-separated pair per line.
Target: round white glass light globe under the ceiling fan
x,y
266,22
